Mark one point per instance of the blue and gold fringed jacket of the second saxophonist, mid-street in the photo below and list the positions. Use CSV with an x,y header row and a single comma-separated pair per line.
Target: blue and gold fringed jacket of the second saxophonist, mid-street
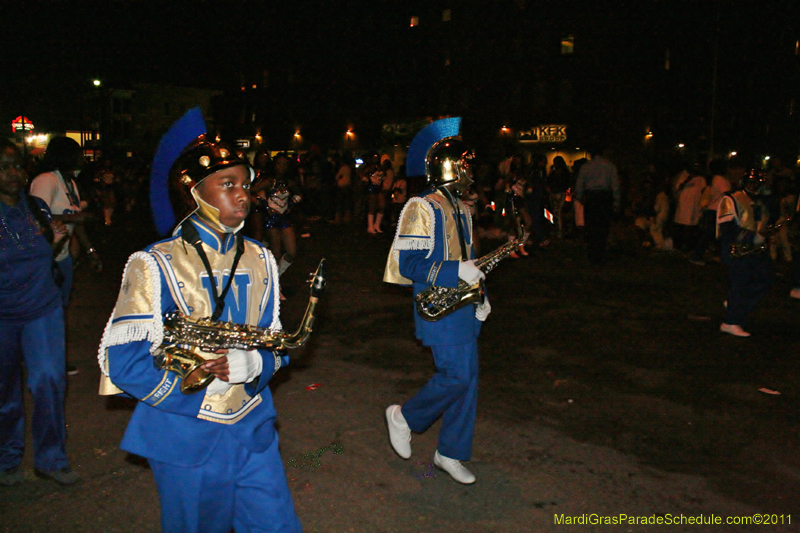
x,y
426,251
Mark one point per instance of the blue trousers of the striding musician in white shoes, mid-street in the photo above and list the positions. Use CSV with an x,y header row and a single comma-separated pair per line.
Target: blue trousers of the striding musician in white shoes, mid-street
x,y
452,393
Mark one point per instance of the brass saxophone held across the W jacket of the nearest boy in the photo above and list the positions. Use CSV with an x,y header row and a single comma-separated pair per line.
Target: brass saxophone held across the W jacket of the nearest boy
x,y
182,332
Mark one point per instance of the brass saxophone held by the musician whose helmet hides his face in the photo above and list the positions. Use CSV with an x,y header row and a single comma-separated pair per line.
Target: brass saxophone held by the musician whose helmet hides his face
x,y
435,302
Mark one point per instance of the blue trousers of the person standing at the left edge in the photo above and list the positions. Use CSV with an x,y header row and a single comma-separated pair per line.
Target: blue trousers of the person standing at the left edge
x,y
40,344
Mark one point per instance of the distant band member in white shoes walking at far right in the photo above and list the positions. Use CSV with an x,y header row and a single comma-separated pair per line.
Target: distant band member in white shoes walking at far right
x,y
742,221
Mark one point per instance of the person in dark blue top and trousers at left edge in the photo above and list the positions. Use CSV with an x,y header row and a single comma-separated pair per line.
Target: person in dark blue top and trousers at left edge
x,y
31,329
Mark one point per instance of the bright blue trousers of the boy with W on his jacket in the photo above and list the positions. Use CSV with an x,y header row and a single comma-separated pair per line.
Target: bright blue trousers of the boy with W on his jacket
x,y
236,488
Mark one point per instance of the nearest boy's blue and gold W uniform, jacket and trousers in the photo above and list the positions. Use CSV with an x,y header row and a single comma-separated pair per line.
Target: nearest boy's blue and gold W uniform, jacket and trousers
x,y
214,454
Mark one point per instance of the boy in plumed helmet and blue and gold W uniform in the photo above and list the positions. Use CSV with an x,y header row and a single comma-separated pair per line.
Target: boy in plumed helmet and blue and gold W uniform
x,y
214,453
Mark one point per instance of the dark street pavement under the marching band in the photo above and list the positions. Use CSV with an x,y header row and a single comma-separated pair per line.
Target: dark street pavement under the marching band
x,y
604,392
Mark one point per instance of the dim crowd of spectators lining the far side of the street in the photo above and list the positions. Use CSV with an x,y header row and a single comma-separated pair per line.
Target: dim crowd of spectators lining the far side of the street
x,y
666,206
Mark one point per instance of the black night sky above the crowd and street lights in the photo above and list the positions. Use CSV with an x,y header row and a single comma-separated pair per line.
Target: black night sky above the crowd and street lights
x,y
345,52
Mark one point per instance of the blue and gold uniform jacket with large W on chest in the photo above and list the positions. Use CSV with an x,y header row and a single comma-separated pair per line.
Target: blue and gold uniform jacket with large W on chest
x,y
167,425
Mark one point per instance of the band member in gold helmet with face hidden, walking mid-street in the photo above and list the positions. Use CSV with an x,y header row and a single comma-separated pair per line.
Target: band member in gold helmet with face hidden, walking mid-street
x,y
433,245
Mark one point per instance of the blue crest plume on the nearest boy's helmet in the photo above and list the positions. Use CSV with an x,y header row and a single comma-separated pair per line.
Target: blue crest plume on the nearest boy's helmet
x,y
184,131
